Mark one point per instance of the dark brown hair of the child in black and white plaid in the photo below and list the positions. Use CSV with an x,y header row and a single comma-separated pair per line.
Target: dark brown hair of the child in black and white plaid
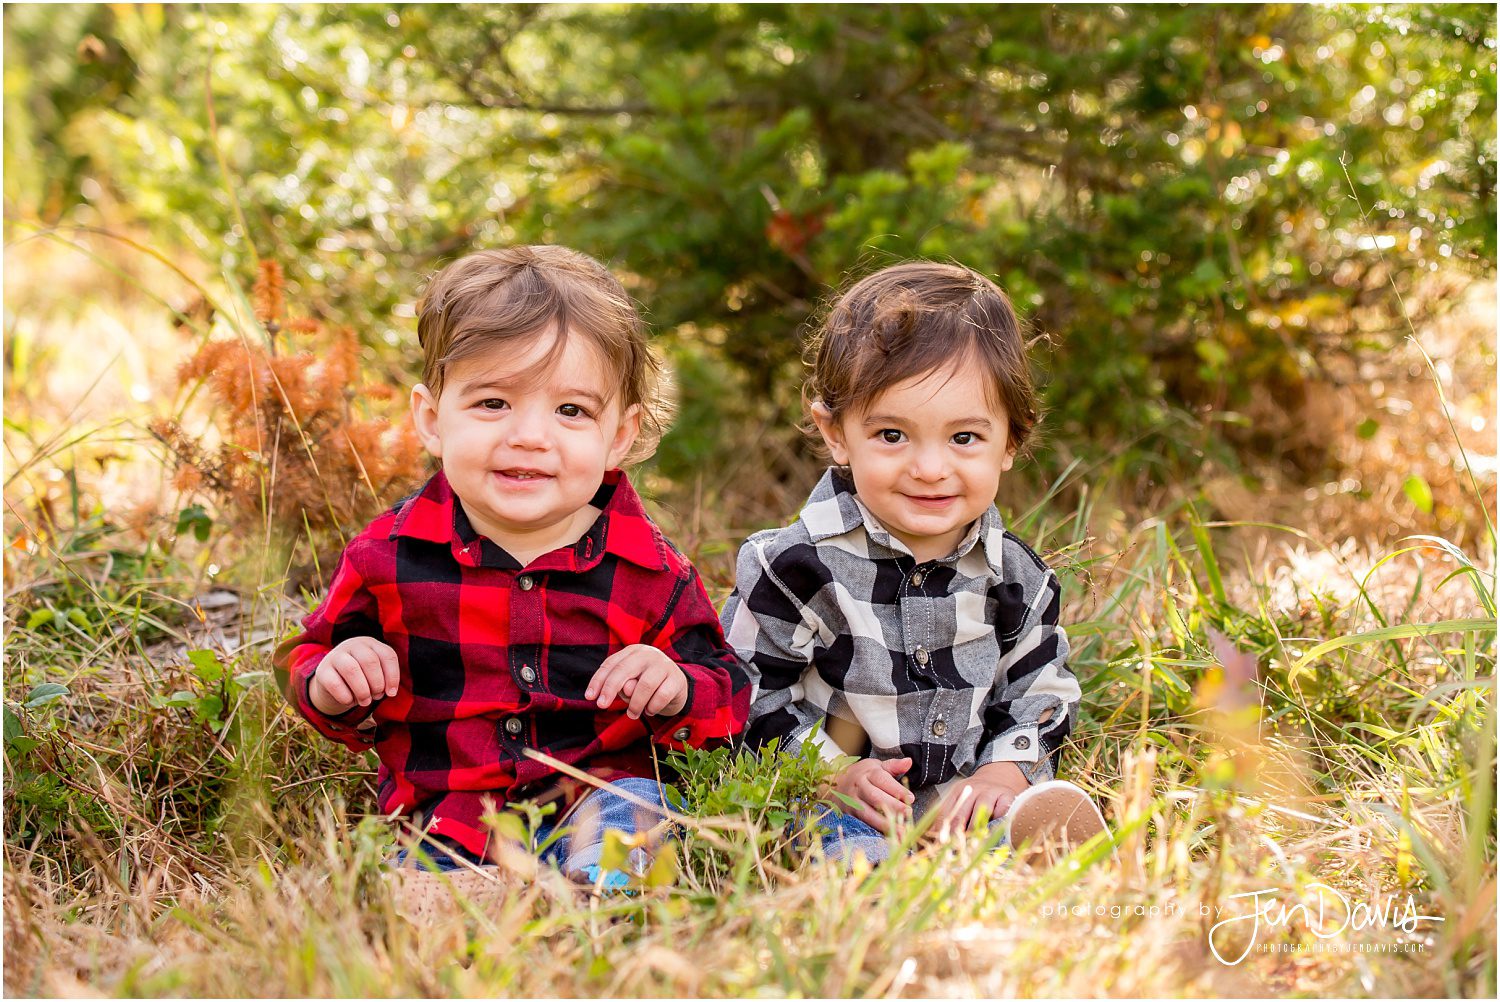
x,y
914,319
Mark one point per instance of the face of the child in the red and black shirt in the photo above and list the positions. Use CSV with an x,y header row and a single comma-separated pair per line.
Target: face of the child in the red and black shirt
x,y
526,455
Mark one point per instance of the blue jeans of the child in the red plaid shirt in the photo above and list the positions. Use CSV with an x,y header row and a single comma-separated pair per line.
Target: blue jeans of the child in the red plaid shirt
x,y
581,847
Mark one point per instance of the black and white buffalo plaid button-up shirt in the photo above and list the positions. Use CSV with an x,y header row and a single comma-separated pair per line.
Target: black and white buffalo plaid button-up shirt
x,y
955,662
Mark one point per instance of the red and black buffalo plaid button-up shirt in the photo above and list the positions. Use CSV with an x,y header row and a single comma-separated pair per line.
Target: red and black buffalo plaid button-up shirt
x,y
496,658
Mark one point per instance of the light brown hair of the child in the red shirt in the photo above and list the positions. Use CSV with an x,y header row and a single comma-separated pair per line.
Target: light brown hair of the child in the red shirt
x,y
493,298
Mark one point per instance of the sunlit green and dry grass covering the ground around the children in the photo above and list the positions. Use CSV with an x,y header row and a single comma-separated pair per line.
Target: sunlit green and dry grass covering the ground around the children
x,y
1270,706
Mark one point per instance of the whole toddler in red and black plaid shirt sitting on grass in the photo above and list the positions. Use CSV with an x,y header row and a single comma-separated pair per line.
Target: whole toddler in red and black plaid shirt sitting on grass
x,y
523,599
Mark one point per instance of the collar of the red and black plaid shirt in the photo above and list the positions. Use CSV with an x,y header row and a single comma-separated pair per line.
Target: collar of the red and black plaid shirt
x,y
623,527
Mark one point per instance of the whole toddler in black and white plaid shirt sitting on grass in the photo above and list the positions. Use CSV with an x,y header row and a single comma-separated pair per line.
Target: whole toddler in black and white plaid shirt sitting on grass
x,y
896,620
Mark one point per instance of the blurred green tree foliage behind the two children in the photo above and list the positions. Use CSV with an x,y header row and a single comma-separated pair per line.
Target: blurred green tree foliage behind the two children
x,y
1192,202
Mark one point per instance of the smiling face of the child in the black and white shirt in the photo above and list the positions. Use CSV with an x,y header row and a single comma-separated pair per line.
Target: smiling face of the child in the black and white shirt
x,y
926,457
